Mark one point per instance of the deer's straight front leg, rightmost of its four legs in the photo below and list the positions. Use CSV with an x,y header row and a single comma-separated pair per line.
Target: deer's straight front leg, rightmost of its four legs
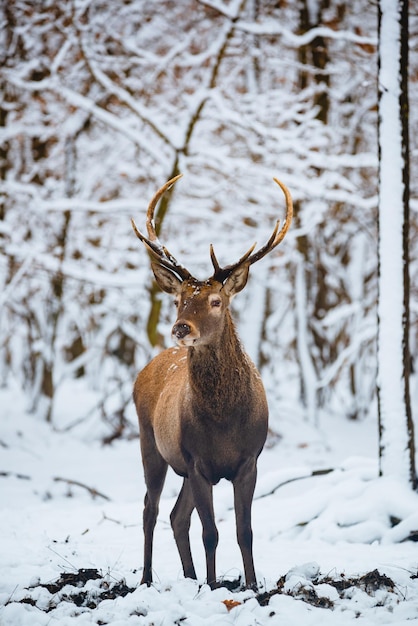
x,y
244,485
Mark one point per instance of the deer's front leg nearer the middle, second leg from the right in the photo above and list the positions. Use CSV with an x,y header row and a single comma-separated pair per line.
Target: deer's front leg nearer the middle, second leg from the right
x,y
203,498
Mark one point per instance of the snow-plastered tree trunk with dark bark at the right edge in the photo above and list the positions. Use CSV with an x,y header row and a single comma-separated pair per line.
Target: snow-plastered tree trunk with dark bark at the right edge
x,y
396,431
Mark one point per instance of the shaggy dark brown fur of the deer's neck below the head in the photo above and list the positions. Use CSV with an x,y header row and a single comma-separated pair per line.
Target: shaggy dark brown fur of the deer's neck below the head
x,y
220,374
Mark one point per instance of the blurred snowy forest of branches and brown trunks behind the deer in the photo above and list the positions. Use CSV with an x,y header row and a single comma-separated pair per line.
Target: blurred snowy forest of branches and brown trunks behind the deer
x,y
101,103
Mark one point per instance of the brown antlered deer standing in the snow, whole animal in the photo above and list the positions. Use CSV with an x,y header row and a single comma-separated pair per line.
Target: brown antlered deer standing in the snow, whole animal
x,y
201,404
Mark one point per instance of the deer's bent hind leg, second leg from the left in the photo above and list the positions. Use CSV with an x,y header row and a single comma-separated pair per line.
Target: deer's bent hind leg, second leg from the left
x,y
180,523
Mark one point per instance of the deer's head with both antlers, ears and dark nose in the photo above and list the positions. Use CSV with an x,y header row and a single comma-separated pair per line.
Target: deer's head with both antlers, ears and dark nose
x,y
201,305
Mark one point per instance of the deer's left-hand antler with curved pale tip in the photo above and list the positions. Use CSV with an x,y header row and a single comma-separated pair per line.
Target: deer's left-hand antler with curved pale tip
x,y
158,252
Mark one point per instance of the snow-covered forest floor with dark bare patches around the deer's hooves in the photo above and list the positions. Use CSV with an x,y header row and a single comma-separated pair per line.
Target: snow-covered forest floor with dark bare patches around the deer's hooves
x,y
333,543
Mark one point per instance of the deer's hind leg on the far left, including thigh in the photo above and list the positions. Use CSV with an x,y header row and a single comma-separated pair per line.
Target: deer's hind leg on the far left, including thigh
x,y
155,470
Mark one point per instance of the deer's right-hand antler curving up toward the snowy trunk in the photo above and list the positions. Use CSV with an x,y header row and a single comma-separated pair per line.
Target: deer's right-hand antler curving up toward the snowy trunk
x,y
275,238
